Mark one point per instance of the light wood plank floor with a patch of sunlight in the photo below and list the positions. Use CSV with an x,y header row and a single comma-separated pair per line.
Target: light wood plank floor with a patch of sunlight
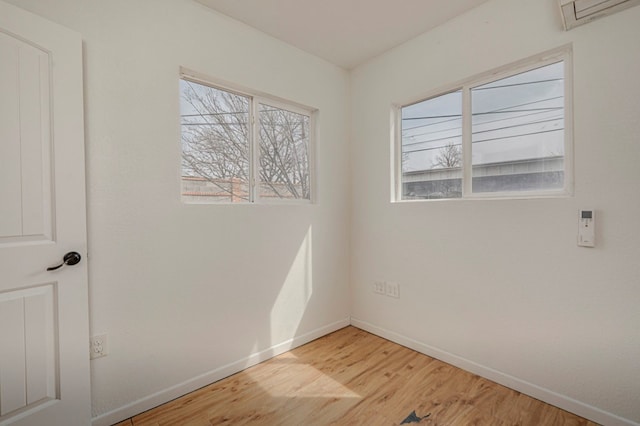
x,y
352,377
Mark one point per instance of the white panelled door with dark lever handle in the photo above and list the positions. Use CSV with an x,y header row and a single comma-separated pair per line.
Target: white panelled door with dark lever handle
x,y
44,356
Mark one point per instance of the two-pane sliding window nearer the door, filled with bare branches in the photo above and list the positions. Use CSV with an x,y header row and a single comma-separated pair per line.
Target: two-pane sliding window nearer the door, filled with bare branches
x,y
242,148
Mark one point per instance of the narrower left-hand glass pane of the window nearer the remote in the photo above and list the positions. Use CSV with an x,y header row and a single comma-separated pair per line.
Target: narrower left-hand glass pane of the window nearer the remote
x,y
432,148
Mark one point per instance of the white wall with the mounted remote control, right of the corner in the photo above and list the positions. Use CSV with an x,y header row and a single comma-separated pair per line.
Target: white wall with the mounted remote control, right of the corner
x,y
500,287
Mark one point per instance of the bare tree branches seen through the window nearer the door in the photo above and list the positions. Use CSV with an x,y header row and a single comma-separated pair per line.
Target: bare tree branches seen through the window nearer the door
x,y
216,143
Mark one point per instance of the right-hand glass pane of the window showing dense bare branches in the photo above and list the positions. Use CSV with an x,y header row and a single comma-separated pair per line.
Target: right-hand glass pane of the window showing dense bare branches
x,y
284,153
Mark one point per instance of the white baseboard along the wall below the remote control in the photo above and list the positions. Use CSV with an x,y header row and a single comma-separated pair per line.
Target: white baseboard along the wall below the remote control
x,y
581,409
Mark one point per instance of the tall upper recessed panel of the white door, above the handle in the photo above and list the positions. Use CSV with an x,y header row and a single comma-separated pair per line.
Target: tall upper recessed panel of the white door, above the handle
x,y
25,188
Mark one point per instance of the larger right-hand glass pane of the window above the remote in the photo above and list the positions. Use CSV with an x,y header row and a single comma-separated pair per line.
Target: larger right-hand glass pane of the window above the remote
x,y
518,132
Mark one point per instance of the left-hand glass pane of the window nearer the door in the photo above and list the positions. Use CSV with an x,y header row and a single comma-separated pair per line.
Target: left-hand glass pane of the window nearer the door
x,y
215,144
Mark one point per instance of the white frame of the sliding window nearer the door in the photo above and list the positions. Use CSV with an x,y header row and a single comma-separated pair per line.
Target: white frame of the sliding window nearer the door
x,y
255,99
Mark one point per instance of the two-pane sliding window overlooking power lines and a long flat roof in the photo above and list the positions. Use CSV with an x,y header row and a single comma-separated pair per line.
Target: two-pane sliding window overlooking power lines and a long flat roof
x,y
506,135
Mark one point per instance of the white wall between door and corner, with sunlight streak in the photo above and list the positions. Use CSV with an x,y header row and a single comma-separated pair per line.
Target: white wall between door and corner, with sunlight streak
x,y
183,290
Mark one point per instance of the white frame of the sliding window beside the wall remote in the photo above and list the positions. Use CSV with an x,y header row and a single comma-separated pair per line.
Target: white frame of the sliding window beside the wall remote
x,y
564,54
